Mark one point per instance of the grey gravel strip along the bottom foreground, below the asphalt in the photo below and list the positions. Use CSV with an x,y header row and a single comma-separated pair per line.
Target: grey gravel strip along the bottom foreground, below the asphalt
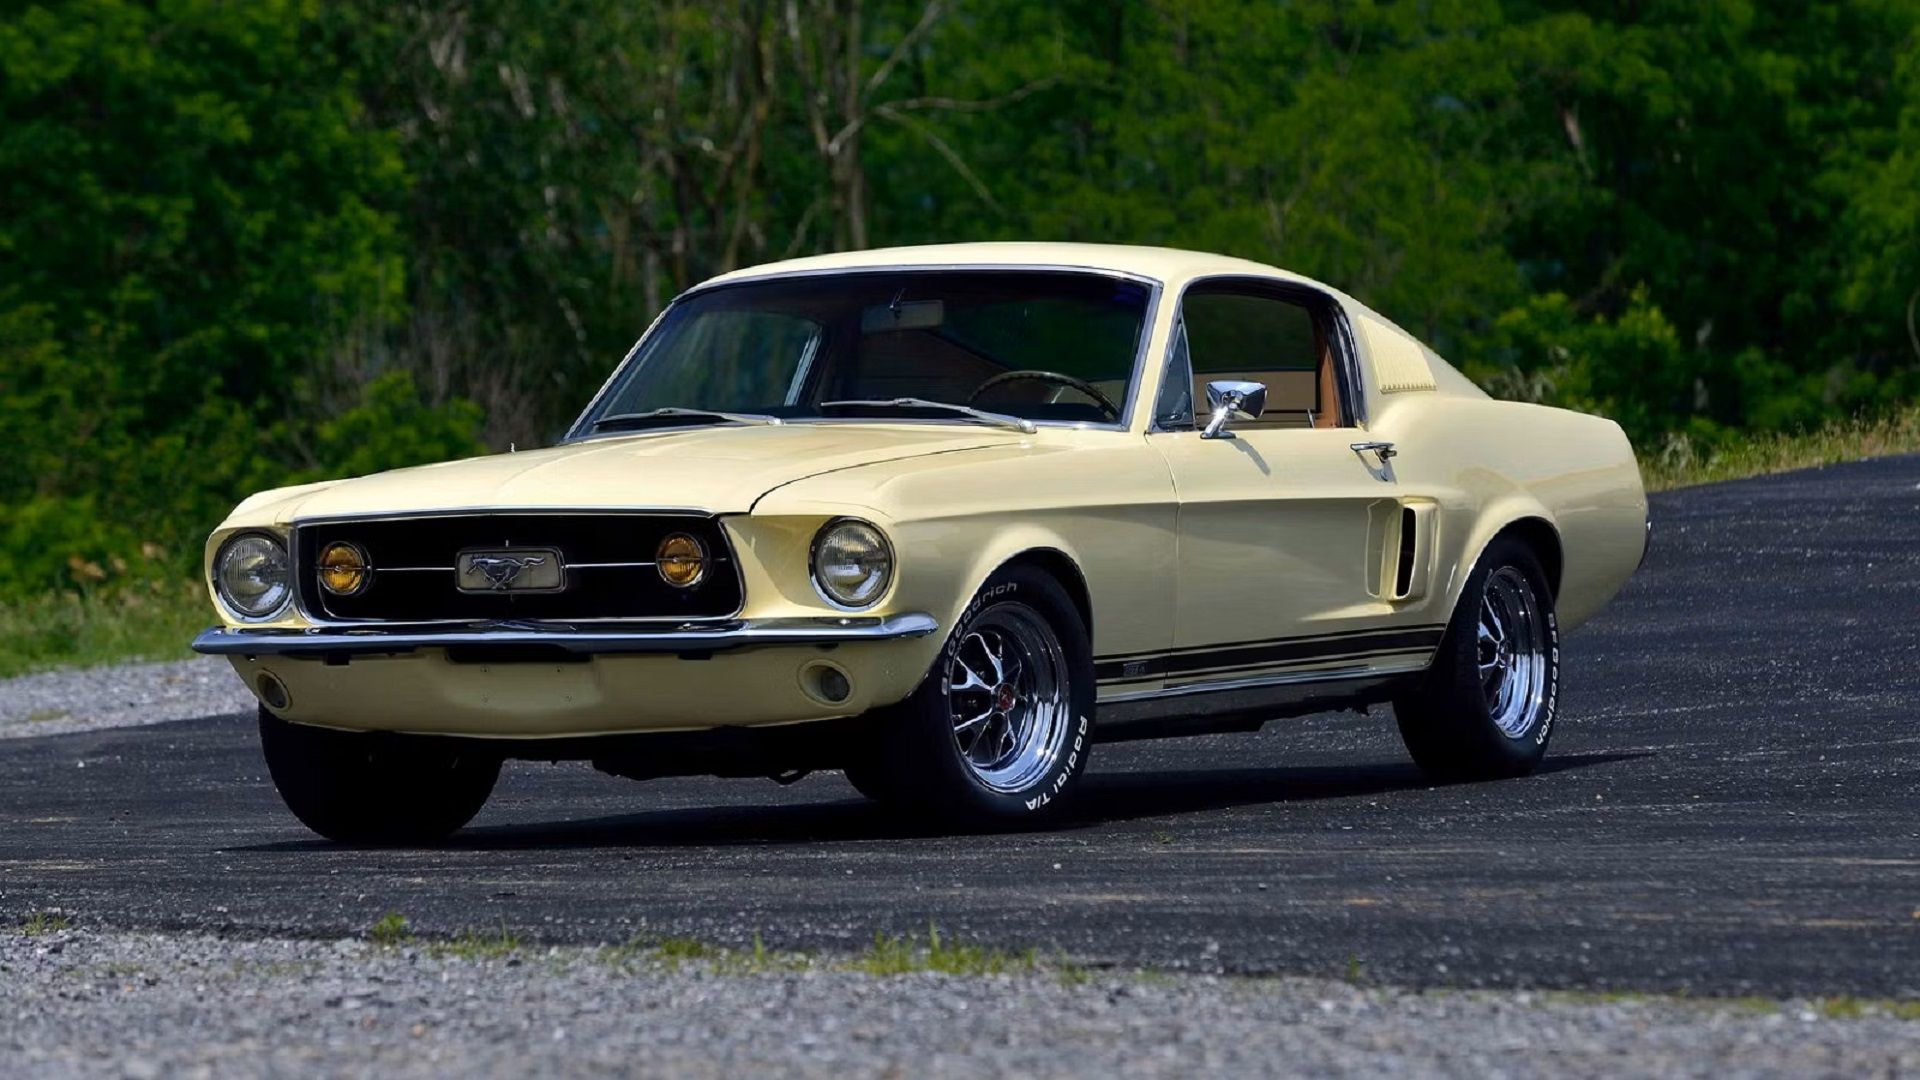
x,y
89,1004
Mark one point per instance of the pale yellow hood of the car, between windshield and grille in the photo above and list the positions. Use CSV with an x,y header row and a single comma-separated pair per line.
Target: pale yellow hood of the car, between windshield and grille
x,y
721,470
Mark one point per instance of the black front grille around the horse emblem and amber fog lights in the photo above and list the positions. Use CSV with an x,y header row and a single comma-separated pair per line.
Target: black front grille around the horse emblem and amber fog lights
x,y
608,558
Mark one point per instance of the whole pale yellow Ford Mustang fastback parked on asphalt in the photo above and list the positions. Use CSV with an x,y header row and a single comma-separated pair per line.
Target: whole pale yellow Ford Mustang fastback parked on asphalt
x,y
940,518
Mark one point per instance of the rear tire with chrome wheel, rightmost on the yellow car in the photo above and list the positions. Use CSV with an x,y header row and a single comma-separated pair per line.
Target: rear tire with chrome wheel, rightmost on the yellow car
x,y
1456,724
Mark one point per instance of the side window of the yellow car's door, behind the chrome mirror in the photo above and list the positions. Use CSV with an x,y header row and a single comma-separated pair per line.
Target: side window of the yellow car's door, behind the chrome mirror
x,y
1245,333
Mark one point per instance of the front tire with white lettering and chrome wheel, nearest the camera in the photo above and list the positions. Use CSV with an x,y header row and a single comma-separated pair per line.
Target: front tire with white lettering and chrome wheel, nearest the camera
x,y
926,766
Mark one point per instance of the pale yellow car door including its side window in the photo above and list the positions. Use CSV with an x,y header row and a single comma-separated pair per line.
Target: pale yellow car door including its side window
x,y
1295,551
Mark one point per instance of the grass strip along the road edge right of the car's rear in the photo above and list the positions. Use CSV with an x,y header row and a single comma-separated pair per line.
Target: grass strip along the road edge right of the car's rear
x,y
1681,464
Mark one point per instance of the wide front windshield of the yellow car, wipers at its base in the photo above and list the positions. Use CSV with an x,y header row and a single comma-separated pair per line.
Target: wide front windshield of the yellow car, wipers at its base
x,y
900,345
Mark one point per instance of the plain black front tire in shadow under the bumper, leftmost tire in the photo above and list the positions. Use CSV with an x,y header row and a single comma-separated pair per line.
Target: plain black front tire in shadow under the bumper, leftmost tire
x,y
373,787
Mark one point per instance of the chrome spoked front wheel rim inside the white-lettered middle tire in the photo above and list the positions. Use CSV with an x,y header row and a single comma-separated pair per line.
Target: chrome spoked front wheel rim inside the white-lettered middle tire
x,y
1007,693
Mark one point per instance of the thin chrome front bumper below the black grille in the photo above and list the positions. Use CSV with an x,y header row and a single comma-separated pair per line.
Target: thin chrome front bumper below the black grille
x,y
688,639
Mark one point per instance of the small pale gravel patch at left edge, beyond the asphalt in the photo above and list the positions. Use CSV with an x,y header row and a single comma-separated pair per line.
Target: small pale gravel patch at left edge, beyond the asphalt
x,y
82,700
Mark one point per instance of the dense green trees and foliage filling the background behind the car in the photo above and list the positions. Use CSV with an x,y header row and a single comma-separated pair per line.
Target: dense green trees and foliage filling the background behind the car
x,y
268,241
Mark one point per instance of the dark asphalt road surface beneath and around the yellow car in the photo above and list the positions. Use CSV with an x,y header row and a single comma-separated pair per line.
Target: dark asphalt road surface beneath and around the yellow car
x,y
1731,806
